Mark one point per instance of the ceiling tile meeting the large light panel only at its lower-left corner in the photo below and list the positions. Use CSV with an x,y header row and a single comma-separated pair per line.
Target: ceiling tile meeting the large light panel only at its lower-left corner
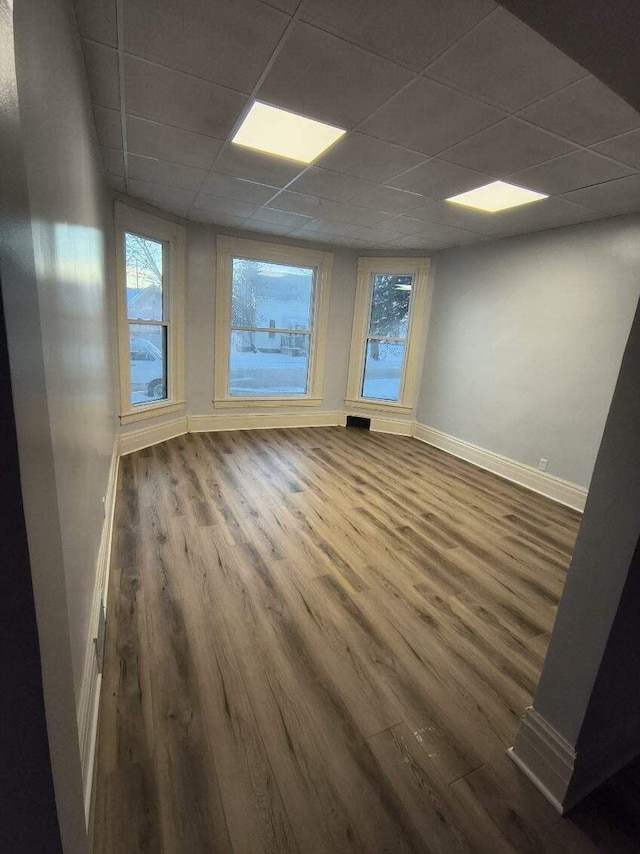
x,y
152,139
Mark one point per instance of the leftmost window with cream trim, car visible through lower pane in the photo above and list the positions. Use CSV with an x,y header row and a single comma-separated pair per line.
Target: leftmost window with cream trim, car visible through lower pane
x,y
150,267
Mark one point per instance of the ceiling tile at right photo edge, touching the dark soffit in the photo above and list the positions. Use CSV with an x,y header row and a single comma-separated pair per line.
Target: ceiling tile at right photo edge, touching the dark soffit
x,y
586,112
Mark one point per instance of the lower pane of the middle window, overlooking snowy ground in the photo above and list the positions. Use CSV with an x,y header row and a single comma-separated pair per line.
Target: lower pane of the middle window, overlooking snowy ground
x,y
263,365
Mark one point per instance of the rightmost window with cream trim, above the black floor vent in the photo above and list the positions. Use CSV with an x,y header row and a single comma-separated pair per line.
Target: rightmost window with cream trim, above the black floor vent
x,y
388,333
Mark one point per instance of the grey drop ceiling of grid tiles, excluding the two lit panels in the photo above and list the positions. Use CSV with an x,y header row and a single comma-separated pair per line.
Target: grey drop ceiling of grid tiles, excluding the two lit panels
x,y
438,97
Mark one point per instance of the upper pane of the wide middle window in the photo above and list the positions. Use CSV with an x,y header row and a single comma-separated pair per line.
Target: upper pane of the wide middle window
x,y
271,295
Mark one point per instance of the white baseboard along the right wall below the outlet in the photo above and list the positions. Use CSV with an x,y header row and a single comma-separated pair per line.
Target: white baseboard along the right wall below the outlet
x,y
562,491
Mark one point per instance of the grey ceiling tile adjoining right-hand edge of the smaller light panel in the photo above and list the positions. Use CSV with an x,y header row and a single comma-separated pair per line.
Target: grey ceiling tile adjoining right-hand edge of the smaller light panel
x,y
569,172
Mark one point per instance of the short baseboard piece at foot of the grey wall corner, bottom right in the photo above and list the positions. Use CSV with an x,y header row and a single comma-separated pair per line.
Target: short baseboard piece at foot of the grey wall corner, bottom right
x,y
545,757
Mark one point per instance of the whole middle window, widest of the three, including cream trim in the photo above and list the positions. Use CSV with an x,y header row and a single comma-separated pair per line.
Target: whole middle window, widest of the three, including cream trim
x,y
271,317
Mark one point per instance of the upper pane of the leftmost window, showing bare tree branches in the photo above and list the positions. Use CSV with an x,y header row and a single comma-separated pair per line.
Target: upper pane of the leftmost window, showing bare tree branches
x,y
143,258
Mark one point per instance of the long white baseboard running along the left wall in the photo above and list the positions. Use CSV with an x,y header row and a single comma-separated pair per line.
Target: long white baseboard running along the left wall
x,y
91,680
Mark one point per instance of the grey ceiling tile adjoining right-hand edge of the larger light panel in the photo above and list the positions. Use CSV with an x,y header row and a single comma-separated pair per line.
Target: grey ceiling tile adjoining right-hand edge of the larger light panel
x,y
367,157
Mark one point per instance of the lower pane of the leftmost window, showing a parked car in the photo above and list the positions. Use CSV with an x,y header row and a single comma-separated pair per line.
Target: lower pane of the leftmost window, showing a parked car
x,y
148,360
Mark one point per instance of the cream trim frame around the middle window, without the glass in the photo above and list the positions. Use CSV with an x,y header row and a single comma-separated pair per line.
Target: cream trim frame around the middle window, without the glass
x,y
227,249
